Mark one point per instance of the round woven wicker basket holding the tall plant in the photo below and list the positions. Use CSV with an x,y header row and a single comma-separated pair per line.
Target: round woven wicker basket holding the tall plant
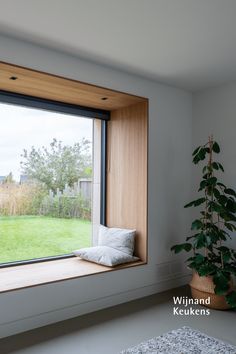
x,y
203,288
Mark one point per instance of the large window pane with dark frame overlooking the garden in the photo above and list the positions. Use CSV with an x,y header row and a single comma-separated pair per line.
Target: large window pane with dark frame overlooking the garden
x,y
52,180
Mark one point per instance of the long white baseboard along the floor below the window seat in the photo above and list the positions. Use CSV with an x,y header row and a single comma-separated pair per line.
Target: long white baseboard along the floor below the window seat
x,y
46,318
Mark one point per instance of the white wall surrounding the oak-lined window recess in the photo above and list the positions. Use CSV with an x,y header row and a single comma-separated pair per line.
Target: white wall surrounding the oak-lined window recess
x,y
170,144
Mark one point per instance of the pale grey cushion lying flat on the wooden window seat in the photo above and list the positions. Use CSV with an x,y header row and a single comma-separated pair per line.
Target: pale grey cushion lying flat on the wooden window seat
x,y
104,255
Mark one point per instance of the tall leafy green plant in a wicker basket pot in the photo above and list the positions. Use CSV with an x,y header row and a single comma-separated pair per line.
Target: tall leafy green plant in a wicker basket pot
x,y
212,262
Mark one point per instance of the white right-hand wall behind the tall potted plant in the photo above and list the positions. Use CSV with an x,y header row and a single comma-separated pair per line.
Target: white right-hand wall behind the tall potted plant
x,y
214,112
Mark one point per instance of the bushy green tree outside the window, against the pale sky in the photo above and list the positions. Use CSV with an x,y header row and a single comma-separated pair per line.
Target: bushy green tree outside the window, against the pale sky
x,y
59,164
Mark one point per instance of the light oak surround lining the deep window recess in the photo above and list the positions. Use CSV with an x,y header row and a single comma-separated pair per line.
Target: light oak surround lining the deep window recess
x,y
126,157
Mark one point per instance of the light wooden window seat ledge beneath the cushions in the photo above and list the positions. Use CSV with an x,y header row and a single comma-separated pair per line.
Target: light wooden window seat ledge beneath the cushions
x,y
25,276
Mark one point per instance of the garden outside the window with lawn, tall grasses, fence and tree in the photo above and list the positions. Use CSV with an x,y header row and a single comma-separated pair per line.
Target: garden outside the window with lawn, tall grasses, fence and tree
x,y
48,212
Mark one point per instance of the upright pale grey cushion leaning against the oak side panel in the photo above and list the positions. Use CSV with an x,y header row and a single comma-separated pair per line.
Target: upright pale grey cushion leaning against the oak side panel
x,y
120,239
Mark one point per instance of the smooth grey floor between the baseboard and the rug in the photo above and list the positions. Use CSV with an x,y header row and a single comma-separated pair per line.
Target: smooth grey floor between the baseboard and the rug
x,y
111,330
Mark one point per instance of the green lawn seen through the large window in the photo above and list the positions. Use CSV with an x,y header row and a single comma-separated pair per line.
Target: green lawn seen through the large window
x,y
28,237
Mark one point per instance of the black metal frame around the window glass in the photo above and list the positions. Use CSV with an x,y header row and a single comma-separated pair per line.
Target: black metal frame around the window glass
x,y
71,109
